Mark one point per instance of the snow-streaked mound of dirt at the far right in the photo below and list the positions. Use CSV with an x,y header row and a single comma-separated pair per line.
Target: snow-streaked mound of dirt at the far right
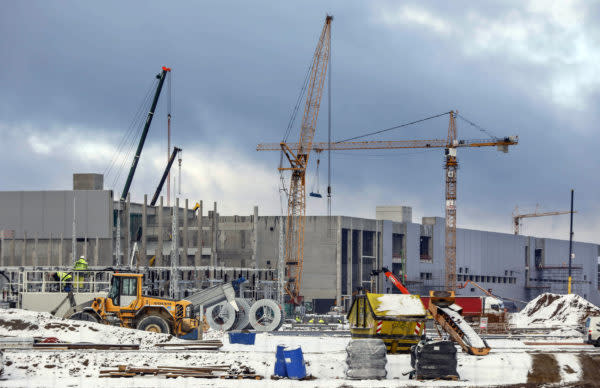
x,y
555,310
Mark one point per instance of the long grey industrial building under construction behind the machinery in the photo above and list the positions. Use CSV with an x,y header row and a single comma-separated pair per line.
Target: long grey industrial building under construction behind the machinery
x,y
339,252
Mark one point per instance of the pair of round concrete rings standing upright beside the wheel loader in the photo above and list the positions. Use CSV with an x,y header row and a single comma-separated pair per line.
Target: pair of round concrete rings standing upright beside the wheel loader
x,y
262,315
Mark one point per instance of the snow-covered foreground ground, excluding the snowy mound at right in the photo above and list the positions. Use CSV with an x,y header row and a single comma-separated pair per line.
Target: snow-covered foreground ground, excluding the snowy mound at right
x,y
510,362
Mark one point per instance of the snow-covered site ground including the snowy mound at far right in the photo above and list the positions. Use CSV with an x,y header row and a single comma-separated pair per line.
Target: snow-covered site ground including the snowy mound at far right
x,y
544,346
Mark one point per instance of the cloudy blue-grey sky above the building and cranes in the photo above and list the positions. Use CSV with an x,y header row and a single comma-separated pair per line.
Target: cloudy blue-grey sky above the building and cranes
x,y
74,74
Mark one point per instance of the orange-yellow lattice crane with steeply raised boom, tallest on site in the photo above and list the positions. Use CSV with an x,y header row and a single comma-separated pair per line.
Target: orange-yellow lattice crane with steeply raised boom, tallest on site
x,y
298,162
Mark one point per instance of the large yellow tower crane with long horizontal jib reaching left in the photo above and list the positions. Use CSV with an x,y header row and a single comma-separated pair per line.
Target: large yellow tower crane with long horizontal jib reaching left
x,y
450,145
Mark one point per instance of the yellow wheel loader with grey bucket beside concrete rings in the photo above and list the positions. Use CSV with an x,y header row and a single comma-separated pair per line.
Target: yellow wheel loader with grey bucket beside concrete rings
x,y
125,306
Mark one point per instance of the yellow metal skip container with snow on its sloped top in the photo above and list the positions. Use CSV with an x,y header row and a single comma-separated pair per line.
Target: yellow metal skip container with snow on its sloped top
x,y
398,319
